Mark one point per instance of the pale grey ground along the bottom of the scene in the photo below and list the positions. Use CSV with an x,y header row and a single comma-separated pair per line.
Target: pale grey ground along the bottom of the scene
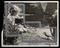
x,y
33,39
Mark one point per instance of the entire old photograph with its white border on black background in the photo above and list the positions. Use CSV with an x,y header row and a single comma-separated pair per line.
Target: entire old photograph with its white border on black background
x,y
30,24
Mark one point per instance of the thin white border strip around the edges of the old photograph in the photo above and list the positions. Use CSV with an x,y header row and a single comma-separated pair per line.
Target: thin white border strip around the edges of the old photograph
x,y
35,45
